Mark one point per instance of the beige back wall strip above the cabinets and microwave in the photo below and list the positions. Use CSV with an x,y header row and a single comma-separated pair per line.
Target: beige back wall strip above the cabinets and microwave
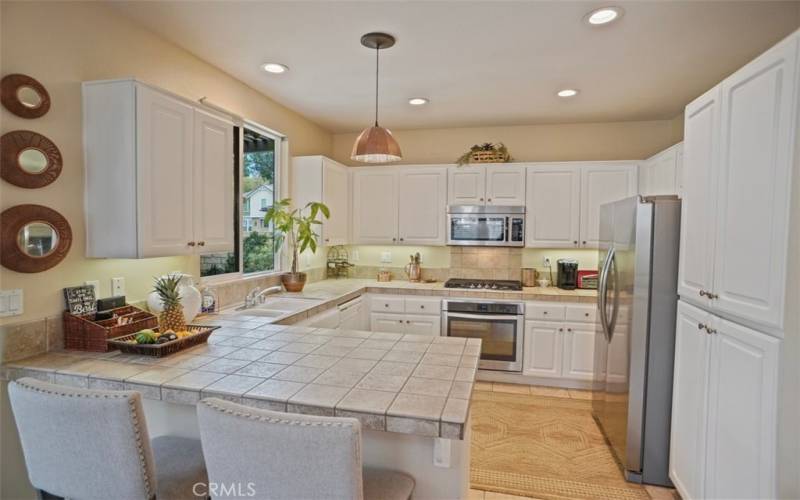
x,y
567,142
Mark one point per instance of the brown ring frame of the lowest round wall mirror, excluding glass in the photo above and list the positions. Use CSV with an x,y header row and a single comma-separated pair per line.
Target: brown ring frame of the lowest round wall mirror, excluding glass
x,y
13,219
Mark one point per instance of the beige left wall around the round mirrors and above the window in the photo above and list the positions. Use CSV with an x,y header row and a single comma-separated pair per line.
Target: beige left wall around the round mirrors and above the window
x,y
88,41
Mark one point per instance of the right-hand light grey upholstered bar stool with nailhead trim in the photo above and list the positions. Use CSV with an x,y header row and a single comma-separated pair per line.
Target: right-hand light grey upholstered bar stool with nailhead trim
x,y
274,455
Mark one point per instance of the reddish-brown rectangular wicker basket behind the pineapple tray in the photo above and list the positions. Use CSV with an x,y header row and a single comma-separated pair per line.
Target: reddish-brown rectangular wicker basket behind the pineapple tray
x,y
83,333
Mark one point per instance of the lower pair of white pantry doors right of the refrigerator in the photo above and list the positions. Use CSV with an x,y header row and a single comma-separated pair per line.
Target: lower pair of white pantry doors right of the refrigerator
x,y
724,410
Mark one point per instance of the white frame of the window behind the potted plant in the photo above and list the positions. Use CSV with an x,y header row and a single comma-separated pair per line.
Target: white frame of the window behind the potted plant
x,y
279,175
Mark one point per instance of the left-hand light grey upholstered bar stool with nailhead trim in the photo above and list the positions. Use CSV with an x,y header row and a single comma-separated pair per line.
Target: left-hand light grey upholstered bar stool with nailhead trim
x,y
90,444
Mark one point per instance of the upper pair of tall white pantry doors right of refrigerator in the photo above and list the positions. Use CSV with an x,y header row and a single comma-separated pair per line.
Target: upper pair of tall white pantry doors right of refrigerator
x,y
739,152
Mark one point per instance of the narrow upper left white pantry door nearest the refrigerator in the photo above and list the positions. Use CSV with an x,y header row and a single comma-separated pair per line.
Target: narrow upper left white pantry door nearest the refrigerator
x,y
700,144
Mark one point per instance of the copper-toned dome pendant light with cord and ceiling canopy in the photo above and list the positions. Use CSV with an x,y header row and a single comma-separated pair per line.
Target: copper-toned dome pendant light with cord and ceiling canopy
x,y
376,144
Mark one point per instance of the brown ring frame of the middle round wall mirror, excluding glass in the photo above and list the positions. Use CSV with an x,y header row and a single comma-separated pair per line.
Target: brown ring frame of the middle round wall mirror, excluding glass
x,y
13,144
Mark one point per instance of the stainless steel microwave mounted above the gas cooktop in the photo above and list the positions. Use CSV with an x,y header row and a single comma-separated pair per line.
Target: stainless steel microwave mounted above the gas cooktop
x,y
486,225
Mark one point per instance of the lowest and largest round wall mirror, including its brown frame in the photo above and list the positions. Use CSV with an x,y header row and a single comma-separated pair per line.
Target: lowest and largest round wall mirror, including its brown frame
x,y
33,238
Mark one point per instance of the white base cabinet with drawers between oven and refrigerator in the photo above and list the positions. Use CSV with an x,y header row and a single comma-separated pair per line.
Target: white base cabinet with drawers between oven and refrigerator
x,y
559,349
